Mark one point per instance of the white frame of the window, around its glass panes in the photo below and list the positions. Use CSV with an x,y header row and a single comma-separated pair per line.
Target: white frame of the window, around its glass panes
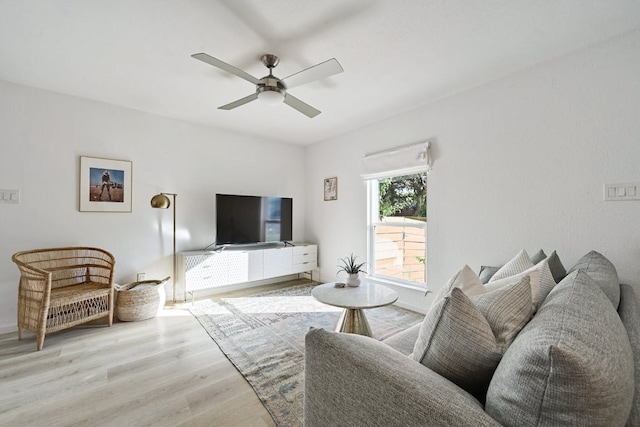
x,y
373,210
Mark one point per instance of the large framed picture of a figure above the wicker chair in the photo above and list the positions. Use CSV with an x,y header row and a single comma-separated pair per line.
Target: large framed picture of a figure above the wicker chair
x,y
105,185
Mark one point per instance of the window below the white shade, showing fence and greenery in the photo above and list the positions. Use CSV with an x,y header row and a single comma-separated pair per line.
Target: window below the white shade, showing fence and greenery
x,y
398,228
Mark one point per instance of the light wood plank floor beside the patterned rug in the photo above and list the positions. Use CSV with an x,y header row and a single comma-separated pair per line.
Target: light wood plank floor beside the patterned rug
x,y
164,371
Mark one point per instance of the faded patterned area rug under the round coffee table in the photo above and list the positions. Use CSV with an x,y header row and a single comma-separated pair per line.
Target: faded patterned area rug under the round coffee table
x,y
263,336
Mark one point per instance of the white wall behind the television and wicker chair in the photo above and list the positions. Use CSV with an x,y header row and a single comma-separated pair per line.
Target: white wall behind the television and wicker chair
x,y
42,136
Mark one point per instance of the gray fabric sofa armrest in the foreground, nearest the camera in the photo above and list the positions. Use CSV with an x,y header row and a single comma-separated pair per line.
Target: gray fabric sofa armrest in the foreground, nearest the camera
x,y
358,381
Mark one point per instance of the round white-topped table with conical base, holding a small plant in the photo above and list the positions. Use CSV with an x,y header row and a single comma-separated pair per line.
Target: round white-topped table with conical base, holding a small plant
x,y
354,300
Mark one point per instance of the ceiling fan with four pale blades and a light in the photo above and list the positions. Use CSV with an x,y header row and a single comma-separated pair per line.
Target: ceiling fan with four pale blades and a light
x,y
271,89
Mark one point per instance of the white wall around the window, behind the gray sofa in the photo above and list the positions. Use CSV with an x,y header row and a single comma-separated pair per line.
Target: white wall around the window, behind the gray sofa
x,y
520,163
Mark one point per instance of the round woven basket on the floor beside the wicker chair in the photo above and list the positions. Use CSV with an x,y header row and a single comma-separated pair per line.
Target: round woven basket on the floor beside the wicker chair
x,y
138,300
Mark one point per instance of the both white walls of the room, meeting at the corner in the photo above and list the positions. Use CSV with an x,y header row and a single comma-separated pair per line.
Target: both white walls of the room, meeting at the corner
x,y
520,163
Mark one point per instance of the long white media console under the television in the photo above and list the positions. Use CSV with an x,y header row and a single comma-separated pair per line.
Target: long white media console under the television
x,y
200,270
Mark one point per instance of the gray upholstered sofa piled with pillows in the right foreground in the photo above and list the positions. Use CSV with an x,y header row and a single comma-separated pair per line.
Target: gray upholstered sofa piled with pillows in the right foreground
x,y
572,359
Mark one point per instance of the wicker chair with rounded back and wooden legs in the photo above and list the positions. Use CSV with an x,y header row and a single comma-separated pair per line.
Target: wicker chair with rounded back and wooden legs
x,y
63,287
